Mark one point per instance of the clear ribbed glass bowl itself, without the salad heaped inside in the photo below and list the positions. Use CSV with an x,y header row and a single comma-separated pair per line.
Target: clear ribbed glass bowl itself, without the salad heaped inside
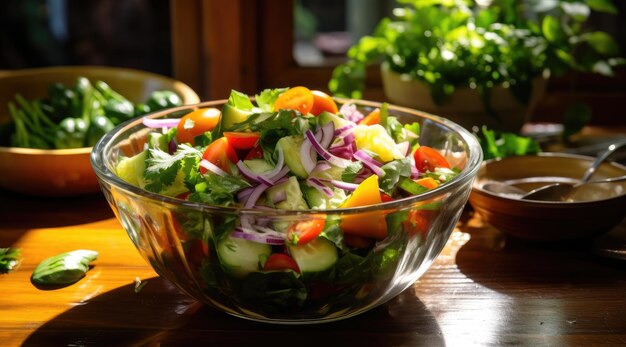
x,y
418,228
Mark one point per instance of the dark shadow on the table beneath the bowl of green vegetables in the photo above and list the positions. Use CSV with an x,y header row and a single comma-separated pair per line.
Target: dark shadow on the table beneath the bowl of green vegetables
x,y
46,212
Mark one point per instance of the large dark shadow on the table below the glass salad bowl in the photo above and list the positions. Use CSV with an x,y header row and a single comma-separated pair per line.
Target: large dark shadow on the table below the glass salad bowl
x,y
160,315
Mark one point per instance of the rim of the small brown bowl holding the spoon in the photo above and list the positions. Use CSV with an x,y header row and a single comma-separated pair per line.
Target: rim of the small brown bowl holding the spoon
x,y
540,203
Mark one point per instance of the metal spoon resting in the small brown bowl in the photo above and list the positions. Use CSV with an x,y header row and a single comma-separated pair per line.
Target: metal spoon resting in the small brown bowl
x,y
561,191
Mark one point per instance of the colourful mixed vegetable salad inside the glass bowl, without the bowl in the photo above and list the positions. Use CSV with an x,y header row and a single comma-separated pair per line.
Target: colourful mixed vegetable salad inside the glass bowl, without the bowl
x,y
291,149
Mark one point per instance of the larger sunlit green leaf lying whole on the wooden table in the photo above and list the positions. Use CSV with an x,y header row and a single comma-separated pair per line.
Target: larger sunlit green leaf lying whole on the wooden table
x,y
64,268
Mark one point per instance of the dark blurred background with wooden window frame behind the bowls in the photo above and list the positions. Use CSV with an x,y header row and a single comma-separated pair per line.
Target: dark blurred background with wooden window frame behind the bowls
x,y
215,46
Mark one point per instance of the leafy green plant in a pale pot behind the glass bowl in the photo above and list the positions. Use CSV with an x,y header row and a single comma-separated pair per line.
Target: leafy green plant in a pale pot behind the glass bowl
x,y
478,62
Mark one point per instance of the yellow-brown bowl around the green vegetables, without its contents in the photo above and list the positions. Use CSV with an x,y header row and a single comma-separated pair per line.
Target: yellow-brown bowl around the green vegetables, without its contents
x,y
67,172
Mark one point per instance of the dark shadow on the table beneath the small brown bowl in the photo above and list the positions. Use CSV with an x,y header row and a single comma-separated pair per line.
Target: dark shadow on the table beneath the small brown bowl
x,y
505,264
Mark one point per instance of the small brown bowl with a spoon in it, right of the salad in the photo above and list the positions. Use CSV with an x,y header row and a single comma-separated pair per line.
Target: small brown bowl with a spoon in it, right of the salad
x,y
547,220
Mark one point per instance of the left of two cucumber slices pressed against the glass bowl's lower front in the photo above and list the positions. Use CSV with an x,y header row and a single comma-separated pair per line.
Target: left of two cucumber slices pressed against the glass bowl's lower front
x,y
239,257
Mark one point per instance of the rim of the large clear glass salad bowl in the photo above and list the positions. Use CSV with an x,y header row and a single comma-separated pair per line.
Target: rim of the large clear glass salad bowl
x,y
473,163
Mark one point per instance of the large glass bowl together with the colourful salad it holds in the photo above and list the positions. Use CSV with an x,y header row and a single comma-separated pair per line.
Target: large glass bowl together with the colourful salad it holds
x,y
290,206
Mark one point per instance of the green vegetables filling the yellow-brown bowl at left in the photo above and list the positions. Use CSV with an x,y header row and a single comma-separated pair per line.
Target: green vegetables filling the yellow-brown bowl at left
x,y
75,116
